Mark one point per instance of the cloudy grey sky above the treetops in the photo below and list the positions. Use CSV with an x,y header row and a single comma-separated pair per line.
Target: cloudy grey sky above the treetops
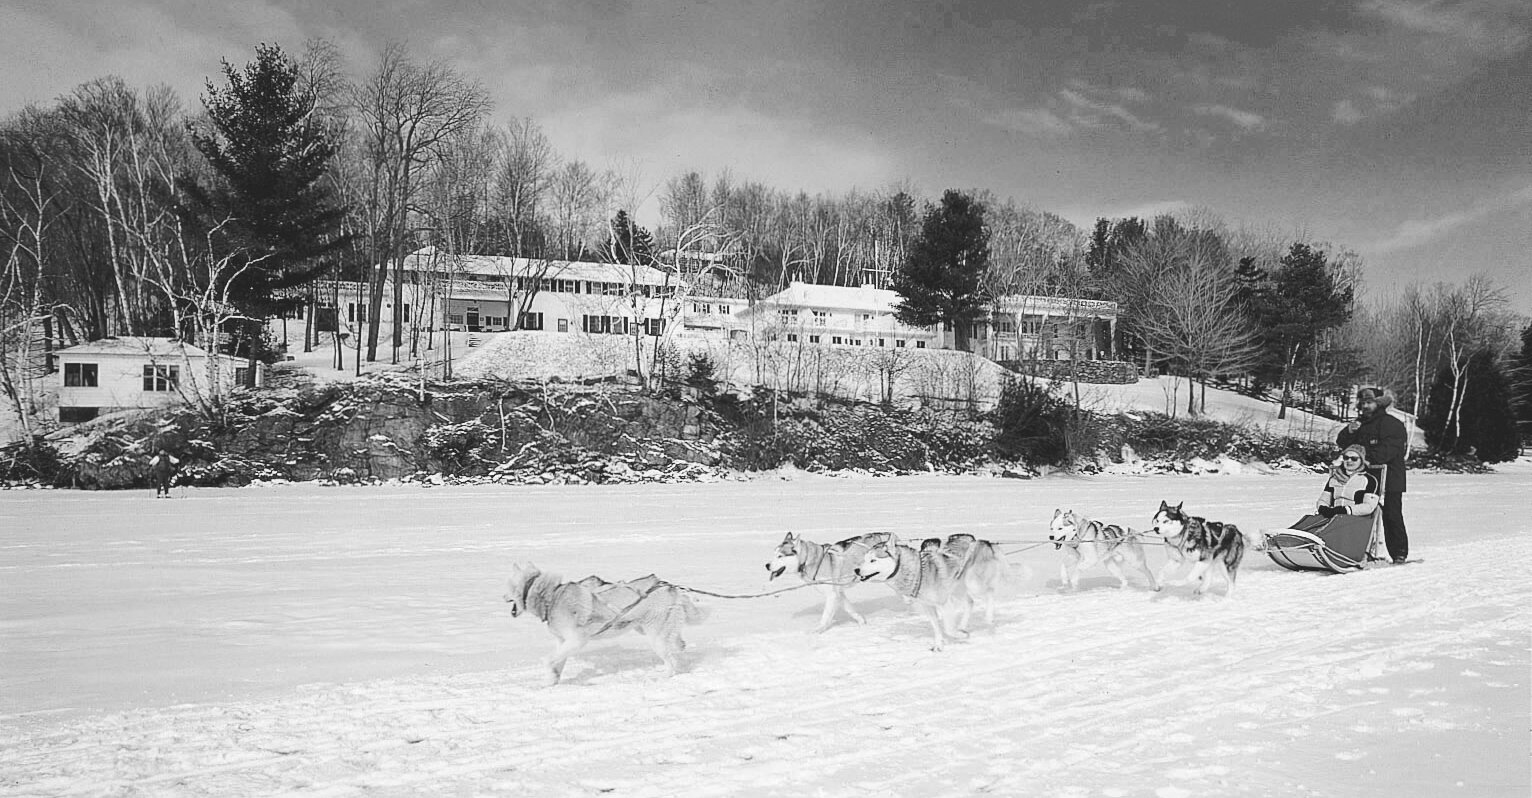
x,y
1401,129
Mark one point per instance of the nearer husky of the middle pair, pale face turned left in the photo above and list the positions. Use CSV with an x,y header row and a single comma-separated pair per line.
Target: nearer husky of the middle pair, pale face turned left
x,y
926,578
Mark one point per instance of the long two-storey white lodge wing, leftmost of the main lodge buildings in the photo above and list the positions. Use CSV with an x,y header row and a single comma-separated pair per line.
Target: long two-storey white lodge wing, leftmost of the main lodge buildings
x,y
482,293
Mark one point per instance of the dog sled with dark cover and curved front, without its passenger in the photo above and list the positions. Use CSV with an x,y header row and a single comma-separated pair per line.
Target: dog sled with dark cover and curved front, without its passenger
x,y
1341,545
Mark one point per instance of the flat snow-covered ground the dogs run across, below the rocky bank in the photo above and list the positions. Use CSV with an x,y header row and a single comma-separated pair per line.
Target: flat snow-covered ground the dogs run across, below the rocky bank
x,y
355,641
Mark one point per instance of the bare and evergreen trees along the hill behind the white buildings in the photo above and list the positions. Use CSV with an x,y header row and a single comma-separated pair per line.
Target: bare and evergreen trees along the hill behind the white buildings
x,y
125,214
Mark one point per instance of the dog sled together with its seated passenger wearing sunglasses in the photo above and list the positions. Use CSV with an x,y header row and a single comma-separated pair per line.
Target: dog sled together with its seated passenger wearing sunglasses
x,y
1344,529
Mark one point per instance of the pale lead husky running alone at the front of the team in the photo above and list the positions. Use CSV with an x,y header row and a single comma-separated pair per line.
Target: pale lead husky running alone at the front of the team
x,y
581,612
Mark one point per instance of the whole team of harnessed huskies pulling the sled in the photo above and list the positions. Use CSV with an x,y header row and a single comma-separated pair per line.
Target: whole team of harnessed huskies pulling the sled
x,y
941,580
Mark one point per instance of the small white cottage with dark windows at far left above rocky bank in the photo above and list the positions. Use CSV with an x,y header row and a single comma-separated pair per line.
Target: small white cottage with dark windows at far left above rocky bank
x,y
128,373
